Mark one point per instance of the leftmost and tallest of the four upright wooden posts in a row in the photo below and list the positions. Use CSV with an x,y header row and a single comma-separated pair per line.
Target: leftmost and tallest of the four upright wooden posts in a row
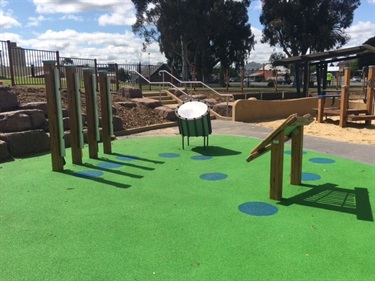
x,y
56,130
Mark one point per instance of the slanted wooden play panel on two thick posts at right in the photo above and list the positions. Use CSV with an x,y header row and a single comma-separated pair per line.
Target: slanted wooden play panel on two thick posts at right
x,y
290,129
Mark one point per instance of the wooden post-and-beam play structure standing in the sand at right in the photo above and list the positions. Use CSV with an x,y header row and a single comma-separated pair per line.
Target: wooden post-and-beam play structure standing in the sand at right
x,y
346,114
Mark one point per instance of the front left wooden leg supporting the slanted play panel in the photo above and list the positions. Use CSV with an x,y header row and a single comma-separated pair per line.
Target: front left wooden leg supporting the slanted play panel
x,y
277,160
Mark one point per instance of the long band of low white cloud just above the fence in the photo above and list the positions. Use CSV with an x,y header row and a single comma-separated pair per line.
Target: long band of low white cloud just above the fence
x,y
105,47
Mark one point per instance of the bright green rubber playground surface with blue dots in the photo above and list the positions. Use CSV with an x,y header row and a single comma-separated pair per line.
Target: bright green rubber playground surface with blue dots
x,y
152,211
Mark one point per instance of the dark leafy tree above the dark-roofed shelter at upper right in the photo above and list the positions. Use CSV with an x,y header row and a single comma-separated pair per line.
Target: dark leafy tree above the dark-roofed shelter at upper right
x,y
298,26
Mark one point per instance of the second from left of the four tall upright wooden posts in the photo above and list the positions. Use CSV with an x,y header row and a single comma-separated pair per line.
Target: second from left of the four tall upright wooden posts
x,y
75,116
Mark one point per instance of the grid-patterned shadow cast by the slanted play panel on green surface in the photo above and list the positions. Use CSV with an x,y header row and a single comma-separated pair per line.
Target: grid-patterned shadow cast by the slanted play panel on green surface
x,y
330,197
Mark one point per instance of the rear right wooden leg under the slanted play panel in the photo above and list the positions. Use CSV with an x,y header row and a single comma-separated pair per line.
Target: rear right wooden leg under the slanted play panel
x,y
296,159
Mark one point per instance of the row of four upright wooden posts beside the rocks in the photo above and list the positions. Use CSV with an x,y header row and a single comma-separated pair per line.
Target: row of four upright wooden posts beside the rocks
x,y
55,117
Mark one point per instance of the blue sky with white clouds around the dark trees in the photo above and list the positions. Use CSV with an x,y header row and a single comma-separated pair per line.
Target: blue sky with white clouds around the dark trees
x,y
102,29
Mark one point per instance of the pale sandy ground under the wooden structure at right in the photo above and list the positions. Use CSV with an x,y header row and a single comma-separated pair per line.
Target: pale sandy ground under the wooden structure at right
x,y
353,133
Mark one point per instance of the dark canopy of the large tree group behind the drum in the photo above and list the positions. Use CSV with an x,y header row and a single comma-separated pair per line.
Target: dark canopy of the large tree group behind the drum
x,y
196,33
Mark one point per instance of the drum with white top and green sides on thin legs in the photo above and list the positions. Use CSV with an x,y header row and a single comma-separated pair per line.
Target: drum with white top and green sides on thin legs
x,y
194,120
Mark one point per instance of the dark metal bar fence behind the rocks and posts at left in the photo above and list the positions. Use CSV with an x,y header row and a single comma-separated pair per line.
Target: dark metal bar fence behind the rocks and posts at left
x,y
25,67
